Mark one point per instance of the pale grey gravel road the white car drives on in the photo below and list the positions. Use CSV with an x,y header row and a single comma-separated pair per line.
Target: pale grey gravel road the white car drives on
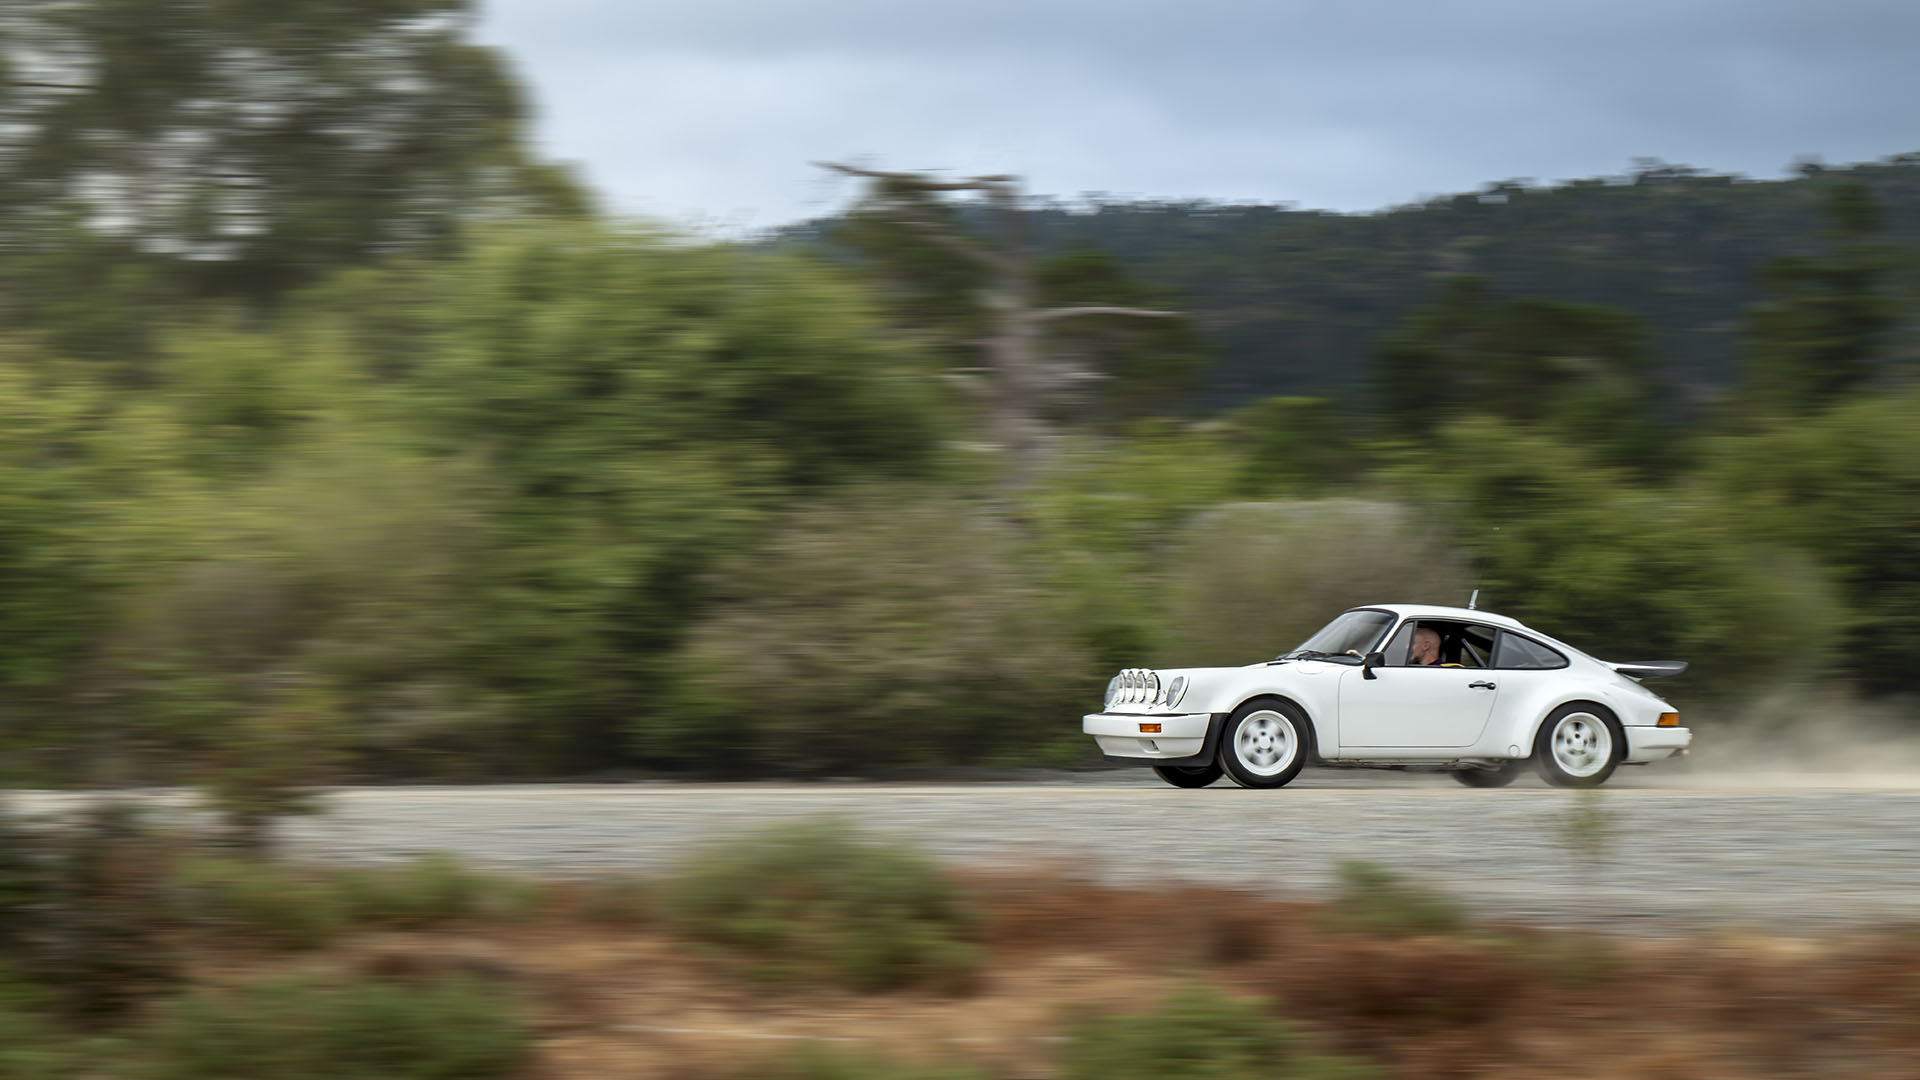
x,y
1767,852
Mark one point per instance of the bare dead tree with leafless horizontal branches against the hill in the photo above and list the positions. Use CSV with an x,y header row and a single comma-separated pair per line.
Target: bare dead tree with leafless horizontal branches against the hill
x,y
1022,376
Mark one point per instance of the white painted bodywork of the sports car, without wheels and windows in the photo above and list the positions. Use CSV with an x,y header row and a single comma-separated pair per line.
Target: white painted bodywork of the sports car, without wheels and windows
x,y
1404,716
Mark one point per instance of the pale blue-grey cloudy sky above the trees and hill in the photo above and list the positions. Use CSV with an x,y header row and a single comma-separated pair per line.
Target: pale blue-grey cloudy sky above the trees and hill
x,y
709,112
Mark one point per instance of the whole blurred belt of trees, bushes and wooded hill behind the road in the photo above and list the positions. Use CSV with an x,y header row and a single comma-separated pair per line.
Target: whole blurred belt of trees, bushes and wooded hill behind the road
x,y
341,439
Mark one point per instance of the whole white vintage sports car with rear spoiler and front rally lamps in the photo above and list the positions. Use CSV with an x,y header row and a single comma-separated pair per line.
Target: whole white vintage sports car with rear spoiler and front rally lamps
x,y
1397,687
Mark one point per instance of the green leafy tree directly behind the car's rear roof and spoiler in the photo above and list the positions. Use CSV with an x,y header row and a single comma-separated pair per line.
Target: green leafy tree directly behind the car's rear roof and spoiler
x,y
1623,570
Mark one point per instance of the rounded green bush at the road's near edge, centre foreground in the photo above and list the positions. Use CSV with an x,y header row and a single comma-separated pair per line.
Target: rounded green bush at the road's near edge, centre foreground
x,y
815,902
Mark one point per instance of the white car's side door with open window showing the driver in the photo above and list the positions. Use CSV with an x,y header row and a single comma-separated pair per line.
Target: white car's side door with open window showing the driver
x,y
1420,708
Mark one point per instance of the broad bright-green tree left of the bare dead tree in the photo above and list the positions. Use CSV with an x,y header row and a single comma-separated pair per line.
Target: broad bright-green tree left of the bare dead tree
x,y
642,408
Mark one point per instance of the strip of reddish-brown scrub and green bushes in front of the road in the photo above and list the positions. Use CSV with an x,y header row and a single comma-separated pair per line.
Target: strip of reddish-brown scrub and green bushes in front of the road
x,y
813,952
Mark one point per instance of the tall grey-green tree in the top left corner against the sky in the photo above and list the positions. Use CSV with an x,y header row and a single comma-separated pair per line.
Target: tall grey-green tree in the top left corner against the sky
x,y
243,149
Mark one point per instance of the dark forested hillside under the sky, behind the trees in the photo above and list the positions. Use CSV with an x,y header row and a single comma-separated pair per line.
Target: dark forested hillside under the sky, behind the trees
x,y
1297,301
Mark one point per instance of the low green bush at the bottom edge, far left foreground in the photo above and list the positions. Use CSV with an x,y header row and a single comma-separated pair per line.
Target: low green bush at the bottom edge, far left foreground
x,y
335,1031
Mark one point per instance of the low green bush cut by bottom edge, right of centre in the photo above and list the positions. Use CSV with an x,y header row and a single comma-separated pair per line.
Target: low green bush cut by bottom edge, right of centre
x,y
1199,1035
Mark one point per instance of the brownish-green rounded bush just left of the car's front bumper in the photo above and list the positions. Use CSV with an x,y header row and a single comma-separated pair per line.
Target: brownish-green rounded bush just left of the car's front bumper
x,y
875,631
